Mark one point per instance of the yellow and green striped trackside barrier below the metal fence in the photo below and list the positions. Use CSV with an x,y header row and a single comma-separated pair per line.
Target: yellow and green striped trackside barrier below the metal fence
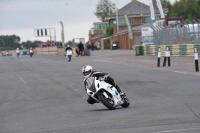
x,y
175,50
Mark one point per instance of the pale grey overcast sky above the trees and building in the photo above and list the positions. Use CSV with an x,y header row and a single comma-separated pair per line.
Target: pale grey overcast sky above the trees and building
x,y
21,17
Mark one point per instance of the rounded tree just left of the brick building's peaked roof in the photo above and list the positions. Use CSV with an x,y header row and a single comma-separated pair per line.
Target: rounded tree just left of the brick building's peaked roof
x,y
103,8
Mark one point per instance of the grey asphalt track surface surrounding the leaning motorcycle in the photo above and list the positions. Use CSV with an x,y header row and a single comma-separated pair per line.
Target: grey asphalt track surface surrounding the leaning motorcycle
x,y
45,94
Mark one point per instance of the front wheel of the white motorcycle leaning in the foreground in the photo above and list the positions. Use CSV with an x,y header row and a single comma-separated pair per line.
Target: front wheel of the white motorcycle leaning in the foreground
x,y
107,102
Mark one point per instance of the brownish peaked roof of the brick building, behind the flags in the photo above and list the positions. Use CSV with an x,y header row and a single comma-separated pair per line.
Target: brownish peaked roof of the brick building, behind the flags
x,y
136,8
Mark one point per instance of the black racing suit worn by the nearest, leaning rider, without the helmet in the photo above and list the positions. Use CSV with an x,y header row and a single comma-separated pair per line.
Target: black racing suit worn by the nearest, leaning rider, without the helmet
x,y
108,79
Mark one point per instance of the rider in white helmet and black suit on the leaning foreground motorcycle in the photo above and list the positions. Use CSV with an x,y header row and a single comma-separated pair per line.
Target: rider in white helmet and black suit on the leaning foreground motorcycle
x,y
88,72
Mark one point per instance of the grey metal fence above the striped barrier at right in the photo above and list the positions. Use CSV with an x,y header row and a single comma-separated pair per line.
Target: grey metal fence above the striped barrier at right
x,y
173,34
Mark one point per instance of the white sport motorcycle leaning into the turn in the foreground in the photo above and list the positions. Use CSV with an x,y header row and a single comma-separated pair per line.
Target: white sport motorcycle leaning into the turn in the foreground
x,y
105,93
